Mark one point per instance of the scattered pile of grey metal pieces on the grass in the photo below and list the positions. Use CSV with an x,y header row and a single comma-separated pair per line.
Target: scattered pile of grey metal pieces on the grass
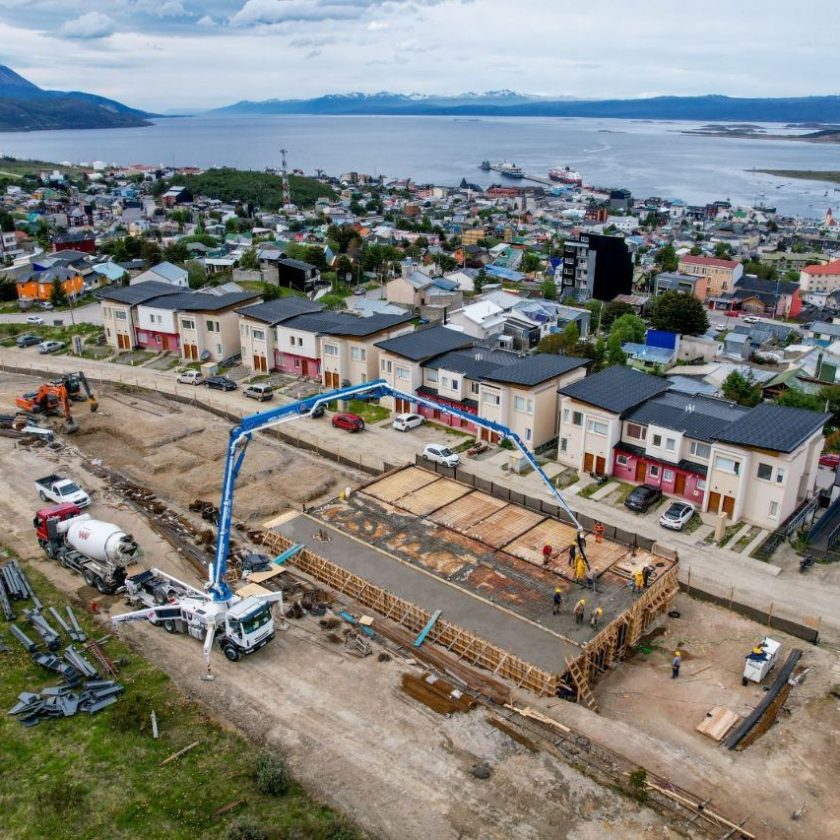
x,y
82,688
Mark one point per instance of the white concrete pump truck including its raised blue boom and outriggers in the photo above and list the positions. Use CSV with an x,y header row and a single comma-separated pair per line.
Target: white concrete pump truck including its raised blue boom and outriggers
x,y
242,626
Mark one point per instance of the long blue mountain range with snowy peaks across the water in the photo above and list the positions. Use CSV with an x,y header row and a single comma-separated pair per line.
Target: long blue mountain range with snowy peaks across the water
x,y
506,103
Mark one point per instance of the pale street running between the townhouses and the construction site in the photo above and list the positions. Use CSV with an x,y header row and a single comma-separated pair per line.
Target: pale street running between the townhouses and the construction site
x,y
807,598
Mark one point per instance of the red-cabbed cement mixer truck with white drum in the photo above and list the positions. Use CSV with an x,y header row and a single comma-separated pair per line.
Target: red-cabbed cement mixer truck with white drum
x,y
99,551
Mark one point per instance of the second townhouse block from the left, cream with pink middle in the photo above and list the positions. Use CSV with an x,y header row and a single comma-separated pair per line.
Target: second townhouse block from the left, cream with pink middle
x,y
294,335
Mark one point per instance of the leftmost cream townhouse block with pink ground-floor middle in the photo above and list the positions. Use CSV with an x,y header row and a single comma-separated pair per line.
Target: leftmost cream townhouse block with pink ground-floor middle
x,y
199,326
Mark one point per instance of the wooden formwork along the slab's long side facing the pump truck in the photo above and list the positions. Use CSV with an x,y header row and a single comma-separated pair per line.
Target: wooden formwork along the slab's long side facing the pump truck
x,y
458,641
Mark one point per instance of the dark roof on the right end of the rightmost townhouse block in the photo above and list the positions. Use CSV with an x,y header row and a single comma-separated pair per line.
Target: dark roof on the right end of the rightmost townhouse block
x,y
775,427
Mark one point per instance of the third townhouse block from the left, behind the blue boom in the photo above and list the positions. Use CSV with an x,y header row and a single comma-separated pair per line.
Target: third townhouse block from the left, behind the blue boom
x,y
520,392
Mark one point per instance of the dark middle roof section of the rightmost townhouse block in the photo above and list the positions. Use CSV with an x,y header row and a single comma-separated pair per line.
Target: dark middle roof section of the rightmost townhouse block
x,y
699,417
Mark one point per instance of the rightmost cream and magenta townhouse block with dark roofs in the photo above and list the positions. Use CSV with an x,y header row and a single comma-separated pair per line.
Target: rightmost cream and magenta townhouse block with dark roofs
x,y
752,464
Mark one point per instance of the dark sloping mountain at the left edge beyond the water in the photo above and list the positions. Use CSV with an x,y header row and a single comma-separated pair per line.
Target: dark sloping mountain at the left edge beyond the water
x,y
26,107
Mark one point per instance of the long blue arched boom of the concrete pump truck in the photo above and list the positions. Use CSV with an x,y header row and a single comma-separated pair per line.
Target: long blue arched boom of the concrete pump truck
x,y
242,434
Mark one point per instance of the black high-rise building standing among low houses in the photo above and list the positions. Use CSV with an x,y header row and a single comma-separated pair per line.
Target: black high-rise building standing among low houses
x,y
596,266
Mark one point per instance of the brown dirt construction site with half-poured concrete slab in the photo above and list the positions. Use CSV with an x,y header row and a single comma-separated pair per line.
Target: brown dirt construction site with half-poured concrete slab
x,y
428,640
